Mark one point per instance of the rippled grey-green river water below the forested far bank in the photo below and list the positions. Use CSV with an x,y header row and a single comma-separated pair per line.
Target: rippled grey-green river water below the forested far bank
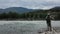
x,y
24,27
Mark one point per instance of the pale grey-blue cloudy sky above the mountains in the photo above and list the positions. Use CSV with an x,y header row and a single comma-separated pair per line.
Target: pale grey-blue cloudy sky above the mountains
x,y
31,4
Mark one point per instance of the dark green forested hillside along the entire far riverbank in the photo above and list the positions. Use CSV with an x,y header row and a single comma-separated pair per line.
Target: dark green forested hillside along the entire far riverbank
x,y
33,15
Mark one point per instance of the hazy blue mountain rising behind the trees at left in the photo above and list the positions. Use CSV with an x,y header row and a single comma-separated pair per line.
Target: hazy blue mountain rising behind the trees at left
x,y
16,9
